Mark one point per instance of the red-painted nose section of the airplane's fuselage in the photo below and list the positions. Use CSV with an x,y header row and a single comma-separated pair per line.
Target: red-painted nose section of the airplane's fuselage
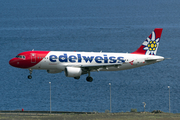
x,y
31,59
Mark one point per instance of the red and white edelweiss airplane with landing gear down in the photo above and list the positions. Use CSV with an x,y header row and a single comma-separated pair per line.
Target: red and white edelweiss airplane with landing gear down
x,y
74,64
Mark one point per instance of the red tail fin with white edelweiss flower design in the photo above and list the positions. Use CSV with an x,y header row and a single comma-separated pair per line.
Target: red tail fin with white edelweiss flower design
x,y
151,44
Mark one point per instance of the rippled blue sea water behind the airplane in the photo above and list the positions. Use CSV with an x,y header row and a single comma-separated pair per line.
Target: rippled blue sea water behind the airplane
x,y
89,25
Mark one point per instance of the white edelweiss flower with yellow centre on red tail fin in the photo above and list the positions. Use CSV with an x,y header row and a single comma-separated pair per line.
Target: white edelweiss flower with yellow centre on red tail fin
x,y
151,44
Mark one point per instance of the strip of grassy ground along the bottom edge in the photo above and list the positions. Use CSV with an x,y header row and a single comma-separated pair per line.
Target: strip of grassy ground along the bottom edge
x,y
96,116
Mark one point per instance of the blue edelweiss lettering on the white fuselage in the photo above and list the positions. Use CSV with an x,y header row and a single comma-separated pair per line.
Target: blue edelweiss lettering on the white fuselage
x,y
79,58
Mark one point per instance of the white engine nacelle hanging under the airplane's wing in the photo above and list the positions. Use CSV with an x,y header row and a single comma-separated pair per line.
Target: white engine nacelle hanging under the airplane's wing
x,y
73,72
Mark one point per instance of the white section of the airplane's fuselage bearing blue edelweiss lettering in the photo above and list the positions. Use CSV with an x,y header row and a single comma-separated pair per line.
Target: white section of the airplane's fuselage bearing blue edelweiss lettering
x,y
58,61
